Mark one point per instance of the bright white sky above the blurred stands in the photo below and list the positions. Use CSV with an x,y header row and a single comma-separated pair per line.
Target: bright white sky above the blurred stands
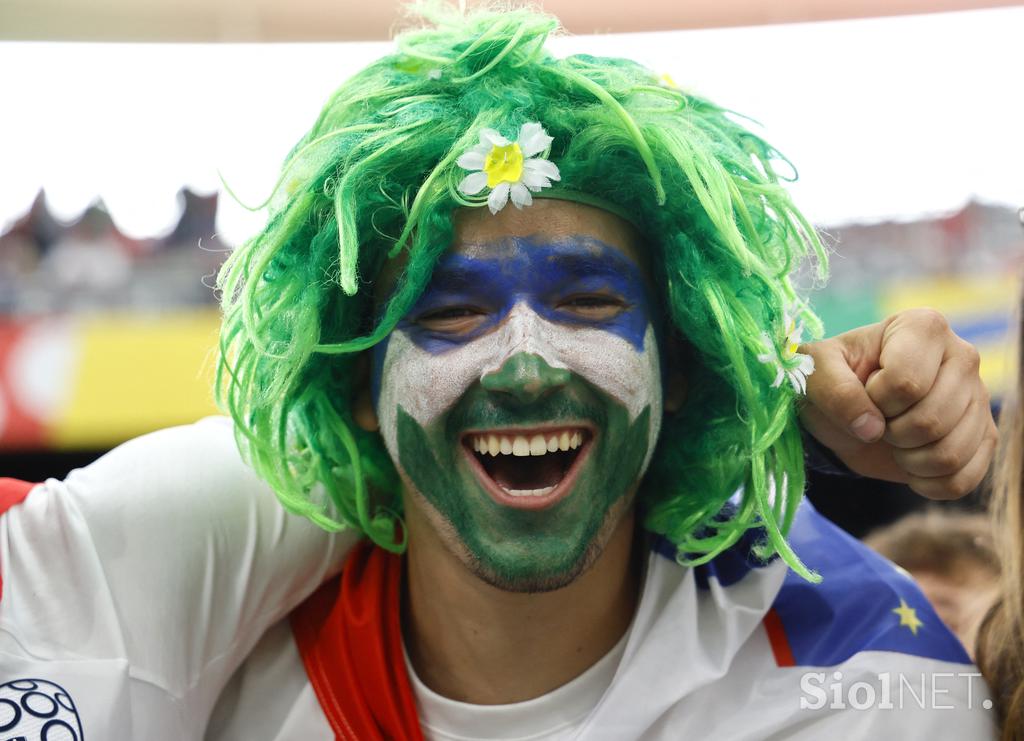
x,y
884,118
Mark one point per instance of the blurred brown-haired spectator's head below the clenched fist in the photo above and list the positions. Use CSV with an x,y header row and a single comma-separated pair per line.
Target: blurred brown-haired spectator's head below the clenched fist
x,y
953,558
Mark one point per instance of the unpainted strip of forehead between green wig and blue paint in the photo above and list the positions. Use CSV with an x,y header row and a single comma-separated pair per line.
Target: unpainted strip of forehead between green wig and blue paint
x,y
546,220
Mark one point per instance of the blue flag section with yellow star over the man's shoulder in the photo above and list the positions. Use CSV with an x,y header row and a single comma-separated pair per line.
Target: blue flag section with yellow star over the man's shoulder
x,y
864,604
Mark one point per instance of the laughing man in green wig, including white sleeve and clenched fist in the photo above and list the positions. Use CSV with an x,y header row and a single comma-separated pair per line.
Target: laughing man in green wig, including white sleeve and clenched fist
x,y
520,338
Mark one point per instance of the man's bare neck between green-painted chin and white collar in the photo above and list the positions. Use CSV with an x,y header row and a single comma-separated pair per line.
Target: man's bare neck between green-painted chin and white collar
x,y
472,642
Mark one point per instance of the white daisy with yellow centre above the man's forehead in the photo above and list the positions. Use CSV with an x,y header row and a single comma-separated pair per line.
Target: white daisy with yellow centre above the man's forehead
x,y
509,168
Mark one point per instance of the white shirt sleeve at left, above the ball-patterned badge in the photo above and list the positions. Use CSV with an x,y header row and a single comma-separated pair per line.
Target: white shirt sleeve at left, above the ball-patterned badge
x,y
161,563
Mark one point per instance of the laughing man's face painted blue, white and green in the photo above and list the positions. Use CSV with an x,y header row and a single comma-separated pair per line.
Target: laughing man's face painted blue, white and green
x,y
522,396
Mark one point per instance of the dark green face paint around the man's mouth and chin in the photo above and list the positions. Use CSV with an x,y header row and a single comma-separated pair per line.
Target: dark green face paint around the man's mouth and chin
x,y
526,550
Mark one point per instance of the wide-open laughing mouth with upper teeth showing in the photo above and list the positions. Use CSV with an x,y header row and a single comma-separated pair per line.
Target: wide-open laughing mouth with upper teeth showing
x,y
528,468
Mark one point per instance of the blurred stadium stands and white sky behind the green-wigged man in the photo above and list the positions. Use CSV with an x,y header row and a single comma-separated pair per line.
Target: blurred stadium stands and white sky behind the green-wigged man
x,y
119,119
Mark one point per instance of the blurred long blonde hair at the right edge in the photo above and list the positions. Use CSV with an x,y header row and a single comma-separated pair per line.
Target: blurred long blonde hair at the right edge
x,y
1001,641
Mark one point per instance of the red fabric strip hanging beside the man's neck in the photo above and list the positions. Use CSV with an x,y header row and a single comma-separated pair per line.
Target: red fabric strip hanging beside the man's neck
x,y
350,636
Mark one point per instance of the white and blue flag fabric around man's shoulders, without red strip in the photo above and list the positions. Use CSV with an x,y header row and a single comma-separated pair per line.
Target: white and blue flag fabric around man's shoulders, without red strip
x,y
708,656
